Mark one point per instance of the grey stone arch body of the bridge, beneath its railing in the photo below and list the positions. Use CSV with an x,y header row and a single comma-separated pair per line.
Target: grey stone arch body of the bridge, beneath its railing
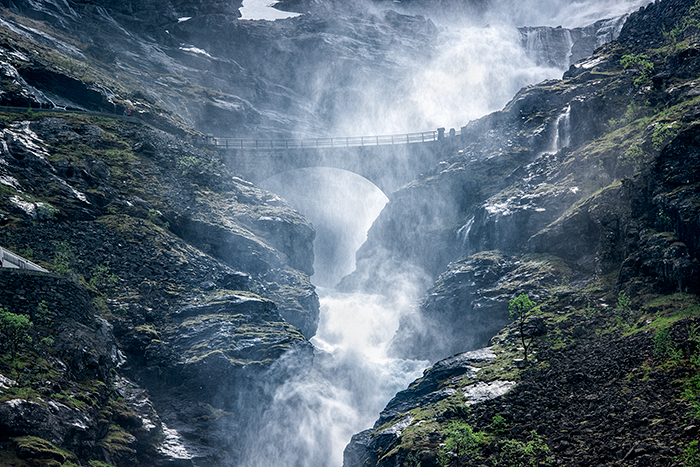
x,y
389,167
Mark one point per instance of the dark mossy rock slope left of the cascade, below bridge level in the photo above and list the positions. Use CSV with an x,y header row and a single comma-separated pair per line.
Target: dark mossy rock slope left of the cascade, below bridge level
x,y
203,278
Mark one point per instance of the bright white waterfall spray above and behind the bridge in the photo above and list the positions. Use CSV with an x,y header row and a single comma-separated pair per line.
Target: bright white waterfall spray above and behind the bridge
x,y
475,67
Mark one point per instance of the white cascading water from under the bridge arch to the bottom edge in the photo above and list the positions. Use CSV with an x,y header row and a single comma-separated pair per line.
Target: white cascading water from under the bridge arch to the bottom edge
x,y
314,414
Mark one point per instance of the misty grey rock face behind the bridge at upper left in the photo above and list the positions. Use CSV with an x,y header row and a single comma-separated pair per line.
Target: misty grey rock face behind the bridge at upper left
x,y
213,72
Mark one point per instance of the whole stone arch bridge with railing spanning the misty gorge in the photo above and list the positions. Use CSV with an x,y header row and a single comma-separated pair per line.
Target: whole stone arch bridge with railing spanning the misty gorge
x,y
388,161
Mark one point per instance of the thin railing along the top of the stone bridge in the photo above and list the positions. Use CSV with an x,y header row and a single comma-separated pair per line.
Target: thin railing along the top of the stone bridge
x,y
322,143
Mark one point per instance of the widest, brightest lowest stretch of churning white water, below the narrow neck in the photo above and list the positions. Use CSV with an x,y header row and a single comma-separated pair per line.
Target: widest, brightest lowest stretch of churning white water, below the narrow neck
x,y
313,416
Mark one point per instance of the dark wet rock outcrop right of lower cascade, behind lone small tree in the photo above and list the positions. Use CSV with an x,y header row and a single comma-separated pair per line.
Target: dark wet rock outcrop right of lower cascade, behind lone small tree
x,y
468,304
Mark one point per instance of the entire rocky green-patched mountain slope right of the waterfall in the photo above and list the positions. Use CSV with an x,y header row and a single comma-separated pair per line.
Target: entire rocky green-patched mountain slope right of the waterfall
x,y
582,194
